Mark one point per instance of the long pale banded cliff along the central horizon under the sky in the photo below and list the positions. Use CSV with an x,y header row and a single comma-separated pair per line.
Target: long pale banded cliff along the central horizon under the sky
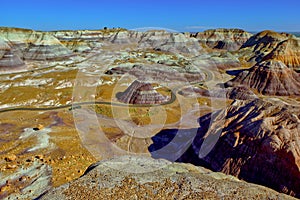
x,y
155,39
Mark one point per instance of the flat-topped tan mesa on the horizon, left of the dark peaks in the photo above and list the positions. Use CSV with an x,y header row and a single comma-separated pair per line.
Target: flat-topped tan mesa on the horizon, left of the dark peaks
x,y
227,39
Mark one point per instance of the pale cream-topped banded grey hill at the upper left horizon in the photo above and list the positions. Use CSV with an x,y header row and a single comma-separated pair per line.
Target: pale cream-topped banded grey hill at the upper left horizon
x,y
32,45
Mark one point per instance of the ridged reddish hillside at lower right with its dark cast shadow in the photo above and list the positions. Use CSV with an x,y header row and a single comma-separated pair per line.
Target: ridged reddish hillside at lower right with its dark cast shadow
x,y
256,141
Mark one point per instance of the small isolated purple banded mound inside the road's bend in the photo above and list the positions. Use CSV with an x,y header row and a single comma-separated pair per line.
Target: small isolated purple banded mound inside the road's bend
x,y
141,93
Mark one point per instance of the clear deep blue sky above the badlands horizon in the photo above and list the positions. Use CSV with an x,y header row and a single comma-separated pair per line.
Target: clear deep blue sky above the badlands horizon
x,y
184,15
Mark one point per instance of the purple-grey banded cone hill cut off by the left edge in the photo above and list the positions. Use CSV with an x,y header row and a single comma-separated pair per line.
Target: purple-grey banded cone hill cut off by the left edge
x,y
9,60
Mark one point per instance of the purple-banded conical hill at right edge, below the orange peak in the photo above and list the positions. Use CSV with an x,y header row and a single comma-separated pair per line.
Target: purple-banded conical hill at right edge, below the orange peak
x,y
269,77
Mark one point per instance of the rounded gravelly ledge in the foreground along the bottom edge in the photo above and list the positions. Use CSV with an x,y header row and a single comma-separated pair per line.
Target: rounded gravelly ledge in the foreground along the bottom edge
x,y
132,177
